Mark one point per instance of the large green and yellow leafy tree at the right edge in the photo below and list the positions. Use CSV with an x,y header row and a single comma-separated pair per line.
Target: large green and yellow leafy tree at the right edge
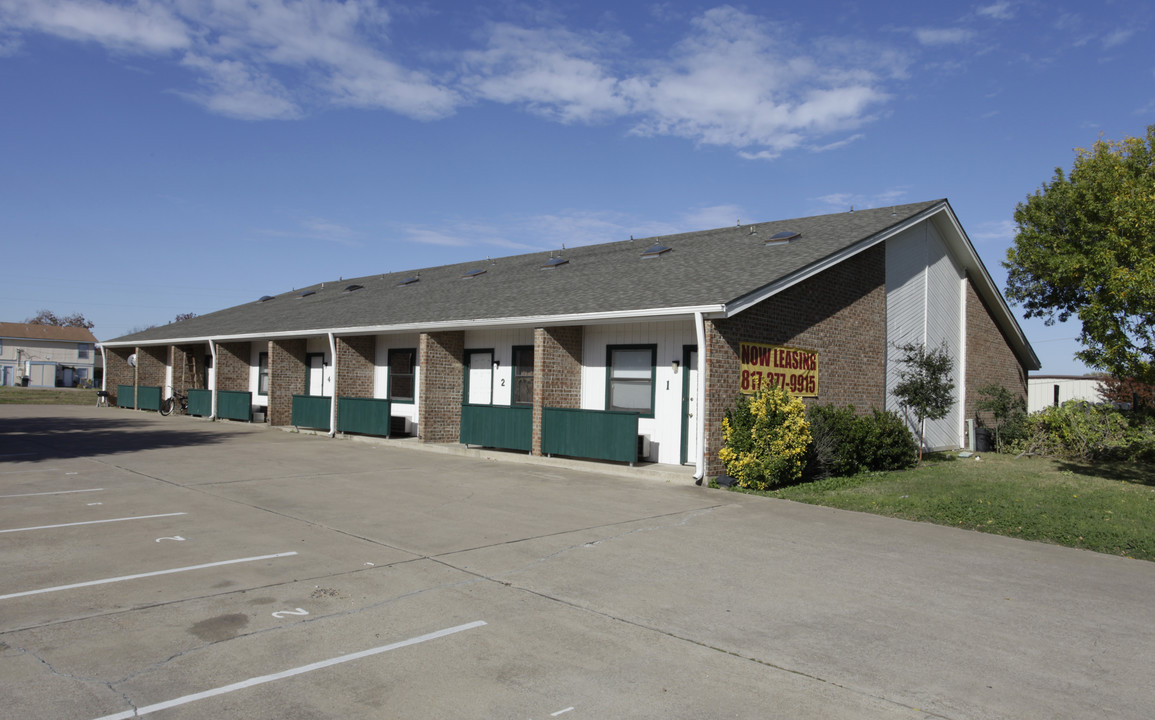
x,y
1086,248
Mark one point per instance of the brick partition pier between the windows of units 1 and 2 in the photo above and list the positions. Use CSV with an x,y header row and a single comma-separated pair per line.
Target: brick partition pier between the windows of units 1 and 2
x,y
557,374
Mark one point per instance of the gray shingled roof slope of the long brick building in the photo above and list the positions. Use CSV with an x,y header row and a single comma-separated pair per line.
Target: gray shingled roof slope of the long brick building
x,y
711,268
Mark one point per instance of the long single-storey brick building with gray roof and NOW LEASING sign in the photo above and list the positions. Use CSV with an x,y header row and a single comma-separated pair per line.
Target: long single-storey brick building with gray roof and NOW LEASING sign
x,y
605,351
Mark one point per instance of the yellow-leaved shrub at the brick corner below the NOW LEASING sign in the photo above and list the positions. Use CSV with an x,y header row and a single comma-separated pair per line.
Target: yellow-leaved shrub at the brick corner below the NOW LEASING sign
x,y
765,440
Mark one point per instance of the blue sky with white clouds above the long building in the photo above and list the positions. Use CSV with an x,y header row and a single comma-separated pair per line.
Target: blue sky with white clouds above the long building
x,y
170,157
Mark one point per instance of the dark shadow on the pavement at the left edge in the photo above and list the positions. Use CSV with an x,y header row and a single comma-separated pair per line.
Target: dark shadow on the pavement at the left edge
x,y
41,439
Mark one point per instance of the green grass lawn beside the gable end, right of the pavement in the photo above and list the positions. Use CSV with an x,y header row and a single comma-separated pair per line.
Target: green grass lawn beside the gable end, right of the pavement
x,y
1107,508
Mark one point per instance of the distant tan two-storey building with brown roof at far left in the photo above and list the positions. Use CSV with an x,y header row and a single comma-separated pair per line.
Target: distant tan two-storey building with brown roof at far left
x,y
48,355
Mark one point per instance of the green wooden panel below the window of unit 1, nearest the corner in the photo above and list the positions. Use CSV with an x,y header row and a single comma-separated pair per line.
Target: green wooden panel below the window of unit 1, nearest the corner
x,y
602,435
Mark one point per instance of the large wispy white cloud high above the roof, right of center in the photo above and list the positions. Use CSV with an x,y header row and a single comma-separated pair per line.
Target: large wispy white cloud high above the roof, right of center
x,y
735,81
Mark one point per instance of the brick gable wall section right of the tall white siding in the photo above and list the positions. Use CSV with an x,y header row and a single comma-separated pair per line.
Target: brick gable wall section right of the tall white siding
x,y
989,357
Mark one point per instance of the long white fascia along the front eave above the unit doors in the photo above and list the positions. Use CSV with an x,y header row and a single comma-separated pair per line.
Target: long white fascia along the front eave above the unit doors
x,y
592,318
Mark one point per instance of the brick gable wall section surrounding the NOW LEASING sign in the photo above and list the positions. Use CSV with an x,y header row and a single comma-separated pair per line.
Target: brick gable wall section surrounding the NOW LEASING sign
x,y
841,314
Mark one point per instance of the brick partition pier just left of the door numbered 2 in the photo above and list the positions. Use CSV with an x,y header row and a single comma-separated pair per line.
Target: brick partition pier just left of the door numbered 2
x,y
442,360
